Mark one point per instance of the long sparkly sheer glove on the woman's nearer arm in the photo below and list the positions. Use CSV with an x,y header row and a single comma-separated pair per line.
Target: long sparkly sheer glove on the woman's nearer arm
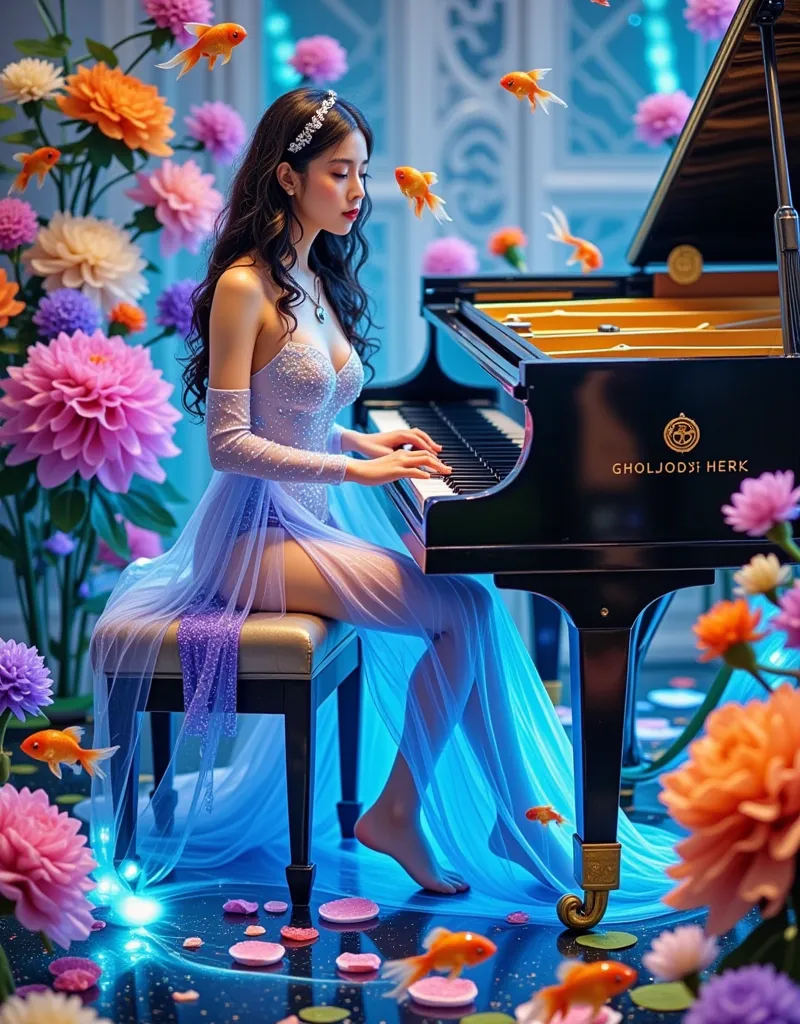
x,y
235,449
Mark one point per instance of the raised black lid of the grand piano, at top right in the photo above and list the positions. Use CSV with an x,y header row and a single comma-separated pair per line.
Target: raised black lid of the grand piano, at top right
x,y
719,190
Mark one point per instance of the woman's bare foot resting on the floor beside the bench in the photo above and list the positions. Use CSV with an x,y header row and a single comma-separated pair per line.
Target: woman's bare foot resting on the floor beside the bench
x,y
401,838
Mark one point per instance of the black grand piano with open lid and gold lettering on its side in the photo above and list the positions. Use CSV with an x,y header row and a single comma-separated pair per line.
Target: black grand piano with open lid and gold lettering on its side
x,y
635,407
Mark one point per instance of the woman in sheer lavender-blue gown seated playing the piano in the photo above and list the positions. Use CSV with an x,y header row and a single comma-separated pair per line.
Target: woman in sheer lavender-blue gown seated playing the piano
x,y
459,736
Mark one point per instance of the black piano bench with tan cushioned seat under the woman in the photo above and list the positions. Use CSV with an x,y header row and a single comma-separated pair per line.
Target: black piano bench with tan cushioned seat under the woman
x,y
288,666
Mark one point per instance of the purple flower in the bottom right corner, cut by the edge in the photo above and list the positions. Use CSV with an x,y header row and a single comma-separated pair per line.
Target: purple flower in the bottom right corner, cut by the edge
x,y
753,995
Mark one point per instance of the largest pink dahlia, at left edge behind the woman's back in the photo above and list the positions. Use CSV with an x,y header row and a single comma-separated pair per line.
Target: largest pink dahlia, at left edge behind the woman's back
x,y
90,405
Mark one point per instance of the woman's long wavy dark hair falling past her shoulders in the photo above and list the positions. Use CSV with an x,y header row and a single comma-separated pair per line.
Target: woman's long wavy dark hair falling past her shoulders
x,y
259,220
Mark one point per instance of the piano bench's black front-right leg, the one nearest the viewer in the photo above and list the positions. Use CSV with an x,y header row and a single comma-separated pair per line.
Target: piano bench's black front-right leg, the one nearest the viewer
x,y
300,729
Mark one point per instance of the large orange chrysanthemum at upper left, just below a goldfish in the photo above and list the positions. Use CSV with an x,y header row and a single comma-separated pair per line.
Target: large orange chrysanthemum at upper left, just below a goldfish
x,y
121,106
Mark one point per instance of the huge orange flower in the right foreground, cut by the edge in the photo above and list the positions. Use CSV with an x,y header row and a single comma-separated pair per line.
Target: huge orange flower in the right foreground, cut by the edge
x,y
739,796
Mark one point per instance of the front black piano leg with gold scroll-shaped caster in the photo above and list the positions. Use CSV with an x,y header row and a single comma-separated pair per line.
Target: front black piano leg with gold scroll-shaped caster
x,y
602,611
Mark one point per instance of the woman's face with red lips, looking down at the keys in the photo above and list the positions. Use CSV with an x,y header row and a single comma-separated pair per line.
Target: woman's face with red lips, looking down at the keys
x,y
329,196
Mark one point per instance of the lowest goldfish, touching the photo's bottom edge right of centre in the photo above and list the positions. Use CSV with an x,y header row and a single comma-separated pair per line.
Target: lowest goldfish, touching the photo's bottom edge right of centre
x,y
582,986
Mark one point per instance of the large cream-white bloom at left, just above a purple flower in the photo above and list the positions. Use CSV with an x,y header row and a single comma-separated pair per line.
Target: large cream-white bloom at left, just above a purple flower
x,y
96,257
